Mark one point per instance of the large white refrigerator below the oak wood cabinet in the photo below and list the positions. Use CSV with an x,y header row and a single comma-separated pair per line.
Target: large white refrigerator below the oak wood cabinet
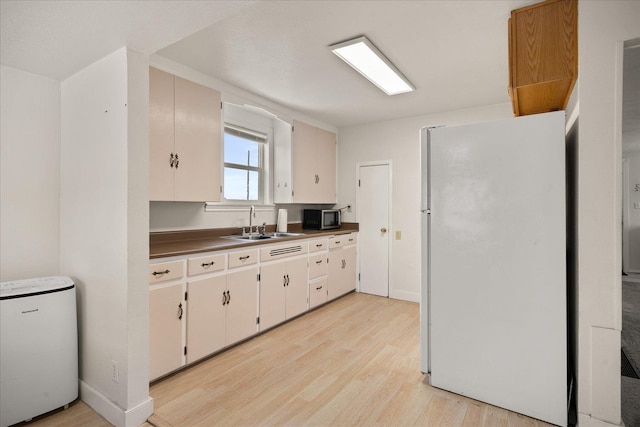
x,y
493,304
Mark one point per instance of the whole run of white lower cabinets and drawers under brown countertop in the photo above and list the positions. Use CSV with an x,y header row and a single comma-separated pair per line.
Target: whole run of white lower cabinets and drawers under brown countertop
x,y
201,304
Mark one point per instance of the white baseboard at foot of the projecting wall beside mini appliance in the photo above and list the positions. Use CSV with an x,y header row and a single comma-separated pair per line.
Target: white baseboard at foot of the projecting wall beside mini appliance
x,y
113,413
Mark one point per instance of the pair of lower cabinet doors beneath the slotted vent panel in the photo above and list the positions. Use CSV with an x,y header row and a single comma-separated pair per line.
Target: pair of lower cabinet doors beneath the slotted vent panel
x,y
283,291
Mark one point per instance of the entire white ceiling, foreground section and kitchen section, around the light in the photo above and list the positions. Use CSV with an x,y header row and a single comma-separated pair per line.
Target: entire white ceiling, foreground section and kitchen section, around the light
x,y
454,52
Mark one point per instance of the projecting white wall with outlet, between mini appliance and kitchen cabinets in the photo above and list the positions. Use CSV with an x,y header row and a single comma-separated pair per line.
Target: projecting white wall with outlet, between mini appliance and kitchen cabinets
x,y
103,232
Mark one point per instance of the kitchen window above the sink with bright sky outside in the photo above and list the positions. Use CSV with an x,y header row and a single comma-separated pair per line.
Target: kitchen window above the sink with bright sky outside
x,y
243,164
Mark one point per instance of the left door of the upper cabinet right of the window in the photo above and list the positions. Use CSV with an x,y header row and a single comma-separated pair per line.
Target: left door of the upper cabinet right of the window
x,y
304,163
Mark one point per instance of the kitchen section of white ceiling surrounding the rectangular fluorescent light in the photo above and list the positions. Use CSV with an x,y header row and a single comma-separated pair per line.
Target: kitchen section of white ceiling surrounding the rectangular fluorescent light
x,y
454,52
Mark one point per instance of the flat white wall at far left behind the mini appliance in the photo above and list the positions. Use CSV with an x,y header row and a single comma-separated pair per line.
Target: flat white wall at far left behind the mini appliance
x,y
29,175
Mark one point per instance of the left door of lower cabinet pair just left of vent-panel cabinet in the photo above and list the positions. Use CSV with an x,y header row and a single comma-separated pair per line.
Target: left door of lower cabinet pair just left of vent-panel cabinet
x,y
205,317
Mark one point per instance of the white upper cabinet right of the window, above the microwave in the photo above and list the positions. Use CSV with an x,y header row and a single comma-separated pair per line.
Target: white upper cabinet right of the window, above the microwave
x,y
307,172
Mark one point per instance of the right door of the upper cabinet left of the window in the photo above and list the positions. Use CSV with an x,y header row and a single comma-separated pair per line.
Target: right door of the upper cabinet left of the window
x,y
197,142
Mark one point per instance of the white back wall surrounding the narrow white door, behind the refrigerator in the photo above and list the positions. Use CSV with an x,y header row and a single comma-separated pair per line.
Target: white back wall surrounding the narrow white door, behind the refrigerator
x,y
399,141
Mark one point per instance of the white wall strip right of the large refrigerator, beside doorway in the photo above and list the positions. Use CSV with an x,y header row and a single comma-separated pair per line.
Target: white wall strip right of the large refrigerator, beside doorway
x,y
602,27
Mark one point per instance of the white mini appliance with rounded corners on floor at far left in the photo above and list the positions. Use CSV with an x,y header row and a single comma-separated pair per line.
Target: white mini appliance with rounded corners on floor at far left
x,y
38,347
